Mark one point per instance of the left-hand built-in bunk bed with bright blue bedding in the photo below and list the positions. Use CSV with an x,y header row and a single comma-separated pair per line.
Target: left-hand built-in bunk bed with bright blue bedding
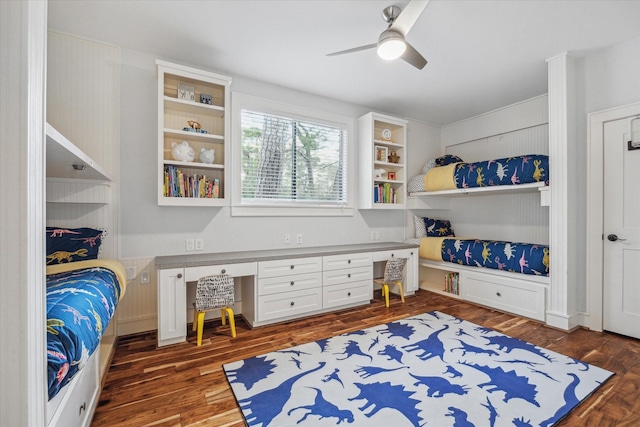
x,y
83,289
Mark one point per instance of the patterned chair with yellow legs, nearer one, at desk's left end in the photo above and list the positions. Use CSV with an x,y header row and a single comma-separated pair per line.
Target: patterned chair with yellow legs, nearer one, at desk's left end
x,y
212,293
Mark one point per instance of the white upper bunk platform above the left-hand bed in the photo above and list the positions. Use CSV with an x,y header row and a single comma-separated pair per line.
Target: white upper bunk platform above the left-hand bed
x,y
62,154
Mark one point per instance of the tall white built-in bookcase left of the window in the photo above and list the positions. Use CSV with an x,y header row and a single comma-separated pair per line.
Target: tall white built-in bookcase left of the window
x,y
175,110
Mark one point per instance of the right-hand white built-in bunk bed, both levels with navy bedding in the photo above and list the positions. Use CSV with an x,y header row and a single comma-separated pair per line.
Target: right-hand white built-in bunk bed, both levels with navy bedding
x,y
508,275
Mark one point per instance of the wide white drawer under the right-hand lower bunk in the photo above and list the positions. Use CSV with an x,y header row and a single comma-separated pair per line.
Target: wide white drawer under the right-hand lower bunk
x,y
512,295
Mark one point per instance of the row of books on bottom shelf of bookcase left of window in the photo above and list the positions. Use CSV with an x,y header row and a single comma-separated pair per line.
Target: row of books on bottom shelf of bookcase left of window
x,y
179,184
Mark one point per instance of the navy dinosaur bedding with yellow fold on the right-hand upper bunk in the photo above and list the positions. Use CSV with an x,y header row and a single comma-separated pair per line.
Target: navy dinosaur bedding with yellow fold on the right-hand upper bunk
x,y
530,168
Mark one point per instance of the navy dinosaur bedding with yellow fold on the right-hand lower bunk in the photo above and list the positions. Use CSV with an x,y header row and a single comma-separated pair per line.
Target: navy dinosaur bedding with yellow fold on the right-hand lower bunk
x,y
524,258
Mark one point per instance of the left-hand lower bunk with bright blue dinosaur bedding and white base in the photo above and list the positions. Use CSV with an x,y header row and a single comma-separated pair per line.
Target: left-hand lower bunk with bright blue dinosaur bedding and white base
x,y
81,301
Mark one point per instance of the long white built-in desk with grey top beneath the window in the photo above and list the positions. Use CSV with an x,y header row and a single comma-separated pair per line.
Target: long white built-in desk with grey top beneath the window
x,y
280,284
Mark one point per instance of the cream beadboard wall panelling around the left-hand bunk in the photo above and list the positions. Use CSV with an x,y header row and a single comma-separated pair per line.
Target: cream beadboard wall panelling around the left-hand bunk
x,y
83,103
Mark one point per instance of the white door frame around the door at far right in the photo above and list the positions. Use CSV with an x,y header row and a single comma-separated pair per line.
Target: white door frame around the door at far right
x,y
593,319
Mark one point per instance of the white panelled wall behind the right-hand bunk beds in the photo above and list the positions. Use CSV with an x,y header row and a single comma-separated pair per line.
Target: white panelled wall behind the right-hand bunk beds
x,y
514,130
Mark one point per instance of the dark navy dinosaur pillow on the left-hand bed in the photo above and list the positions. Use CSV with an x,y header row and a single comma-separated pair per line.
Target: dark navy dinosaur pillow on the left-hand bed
x,y
72,244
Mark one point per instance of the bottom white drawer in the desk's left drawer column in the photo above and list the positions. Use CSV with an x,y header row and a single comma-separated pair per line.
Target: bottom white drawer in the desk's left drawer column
x,y
288,304
